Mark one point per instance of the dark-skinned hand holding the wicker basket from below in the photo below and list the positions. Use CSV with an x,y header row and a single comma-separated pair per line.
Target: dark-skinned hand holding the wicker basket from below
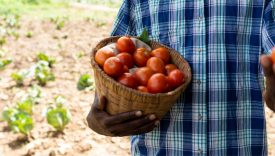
x,y
123,124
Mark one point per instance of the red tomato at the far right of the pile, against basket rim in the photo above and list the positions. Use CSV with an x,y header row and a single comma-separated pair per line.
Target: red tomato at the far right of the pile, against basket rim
x,y
175,78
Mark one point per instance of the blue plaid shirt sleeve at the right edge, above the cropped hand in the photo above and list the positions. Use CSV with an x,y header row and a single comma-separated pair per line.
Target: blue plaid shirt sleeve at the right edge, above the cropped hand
x,y
268,29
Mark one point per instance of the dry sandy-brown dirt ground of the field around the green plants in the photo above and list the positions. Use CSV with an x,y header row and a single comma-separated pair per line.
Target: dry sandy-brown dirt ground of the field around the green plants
x,y
78,139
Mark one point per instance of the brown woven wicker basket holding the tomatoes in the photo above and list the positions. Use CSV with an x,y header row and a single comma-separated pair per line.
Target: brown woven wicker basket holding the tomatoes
x,y
124,99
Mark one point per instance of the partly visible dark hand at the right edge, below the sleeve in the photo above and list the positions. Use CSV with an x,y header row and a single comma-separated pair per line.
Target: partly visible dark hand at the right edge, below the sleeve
x,y
269,72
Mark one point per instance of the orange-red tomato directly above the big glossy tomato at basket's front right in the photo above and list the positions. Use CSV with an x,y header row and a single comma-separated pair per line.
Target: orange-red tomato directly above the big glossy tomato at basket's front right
x,y
156,64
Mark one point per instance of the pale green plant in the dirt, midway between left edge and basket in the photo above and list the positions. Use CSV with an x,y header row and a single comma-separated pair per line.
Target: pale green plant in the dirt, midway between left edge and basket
x,y
43,73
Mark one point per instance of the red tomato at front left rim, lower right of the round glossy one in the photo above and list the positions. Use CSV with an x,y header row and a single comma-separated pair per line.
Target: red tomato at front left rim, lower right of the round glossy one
x,y
128,80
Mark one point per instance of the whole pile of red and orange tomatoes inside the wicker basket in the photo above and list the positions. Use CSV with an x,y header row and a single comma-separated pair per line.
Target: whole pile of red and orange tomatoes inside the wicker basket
x,y
136,66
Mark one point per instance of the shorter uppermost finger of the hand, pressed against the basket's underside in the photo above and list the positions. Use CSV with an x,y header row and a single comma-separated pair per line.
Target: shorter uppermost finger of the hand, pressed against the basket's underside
x,y
123,117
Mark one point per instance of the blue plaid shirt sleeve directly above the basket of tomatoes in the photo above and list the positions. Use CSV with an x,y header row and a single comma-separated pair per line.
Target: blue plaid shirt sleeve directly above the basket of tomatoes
x,y
124,24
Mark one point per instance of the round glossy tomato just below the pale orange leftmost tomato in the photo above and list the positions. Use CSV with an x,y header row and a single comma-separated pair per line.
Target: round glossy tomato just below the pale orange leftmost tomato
x,y
113,67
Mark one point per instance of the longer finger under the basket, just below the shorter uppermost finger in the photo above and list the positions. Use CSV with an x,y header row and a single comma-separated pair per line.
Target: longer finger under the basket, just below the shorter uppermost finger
x,y
132,125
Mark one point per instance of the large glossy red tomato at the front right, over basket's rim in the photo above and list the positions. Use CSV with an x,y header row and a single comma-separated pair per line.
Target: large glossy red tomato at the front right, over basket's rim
x,y
157,83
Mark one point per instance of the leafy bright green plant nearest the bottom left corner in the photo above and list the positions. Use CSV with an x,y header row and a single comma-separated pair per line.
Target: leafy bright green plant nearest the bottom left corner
x,y
18,121
